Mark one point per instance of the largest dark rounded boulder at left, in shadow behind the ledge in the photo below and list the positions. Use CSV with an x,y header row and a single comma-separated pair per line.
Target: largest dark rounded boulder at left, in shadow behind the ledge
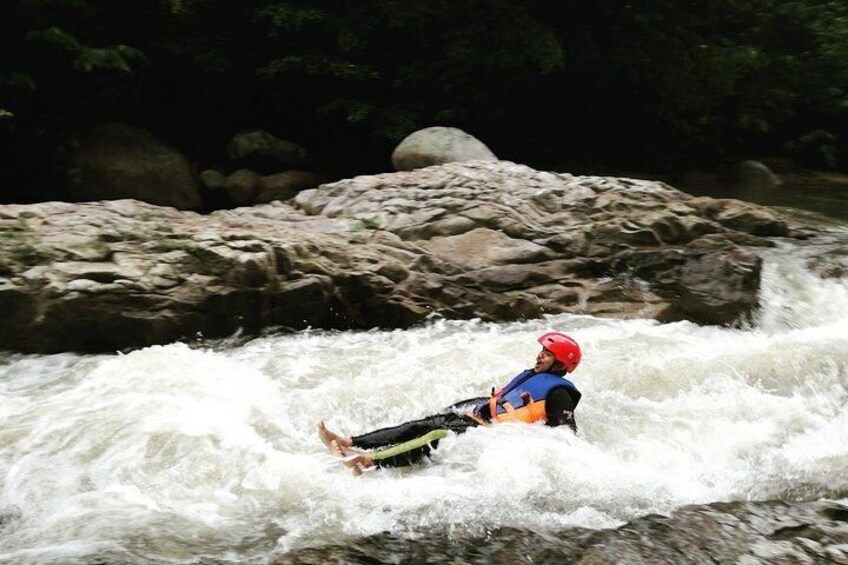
x,y
120,161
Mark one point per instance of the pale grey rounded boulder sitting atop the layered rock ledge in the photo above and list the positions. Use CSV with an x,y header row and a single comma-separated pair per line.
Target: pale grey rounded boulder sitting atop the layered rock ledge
x,y
437,146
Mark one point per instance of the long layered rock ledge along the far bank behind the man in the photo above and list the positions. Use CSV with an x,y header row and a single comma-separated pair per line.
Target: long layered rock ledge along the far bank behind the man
x,y
485,239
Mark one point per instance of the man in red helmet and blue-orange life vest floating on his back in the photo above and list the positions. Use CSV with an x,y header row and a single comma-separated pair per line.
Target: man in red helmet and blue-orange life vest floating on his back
x,y
540,394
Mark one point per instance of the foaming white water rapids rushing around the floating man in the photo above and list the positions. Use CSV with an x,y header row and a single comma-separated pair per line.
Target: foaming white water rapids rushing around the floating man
x,y
175,453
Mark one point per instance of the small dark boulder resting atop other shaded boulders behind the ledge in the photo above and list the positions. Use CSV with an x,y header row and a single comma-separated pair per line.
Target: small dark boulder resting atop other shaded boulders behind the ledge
x,y
263,152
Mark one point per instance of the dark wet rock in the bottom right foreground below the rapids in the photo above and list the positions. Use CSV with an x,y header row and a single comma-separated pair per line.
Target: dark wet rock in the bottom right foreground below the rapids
x,y
737,532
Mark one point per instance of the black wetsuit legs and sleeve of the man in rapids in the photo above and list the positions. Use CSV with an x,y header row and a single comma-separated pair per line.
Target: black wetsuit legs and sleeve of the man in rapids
x,y
559,408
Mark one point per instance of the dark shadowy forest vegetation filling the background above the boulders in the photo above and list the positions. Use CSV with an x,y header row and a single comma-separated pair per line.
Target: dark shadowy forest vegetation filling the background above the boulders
x,y
597,85
